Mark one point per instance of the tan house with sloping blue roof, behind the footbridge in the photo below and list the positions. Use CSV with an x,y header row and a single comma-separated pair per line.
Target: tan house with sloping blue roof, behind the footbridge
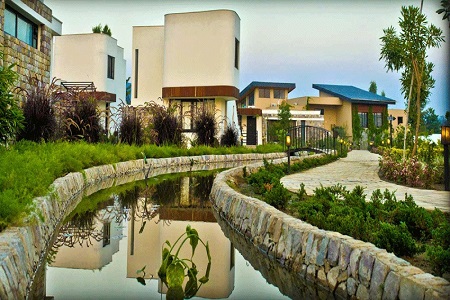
x,y
338,102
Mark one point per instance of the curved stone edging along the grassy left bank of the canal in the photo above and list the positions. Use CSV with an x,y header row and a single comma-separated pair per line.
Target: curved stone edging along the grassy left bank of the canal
x,y
23,249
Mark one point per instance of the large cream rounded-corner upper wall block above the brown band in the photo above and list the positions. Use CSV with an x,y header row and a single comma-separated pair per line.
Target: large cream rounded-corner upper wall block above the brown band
x,y
207,41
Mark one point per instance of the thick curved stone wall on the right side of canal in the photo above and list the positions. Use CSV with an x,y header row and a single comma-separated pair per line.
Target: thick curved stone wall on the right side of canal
x,y
348,267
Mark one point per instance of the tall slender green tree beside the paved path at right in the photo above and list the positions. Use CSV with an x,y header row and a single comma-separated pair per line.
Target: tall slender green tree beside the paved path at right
x,y
407,51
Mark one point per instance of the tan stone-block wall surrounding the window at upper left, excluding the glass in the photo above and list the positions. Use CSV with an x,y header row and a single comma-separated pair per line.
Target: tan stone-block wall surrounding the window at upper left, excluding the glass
x,y
29,60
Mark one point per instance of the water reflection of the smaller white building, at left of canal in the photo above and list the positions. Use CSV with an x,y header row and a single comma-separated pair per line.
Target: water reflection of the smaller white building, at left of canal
x,y
96,243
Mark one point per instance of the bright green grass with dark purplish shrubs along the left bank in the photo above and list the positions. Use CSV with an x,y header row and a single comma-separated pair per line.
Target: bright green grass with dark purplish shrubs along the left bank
x,y
47,132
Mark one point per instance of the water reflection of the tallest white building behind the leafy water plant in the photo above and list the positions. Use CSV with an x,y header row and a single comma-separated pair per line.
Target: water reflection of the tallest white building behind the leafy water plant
x,y
146,238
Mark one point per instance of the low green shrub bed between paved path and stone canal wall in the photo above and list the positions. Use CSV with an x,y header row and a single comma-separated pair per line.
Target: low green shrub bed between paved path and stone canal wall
x,y
400,226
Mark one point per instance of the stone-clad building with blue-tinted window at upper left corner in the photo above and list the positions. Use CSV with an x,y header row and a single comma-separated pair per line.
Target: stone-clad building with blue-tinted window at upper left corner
x,y
27,30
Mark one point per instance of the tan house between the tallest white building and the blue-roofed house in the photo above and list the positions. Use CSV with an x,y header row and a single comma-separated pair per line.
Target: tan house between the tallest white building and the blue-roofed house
x,y
258,111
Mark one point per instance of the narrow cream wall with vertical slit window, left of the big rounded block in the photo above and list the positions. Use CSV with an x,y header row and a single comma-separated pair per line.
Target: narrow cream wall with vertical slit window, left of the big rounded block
x,y
149,40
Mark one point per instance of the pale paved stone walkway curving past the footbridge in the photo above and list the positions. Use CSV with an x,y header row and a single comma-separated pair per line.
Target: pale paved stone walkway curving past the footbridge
x,y
360,167
